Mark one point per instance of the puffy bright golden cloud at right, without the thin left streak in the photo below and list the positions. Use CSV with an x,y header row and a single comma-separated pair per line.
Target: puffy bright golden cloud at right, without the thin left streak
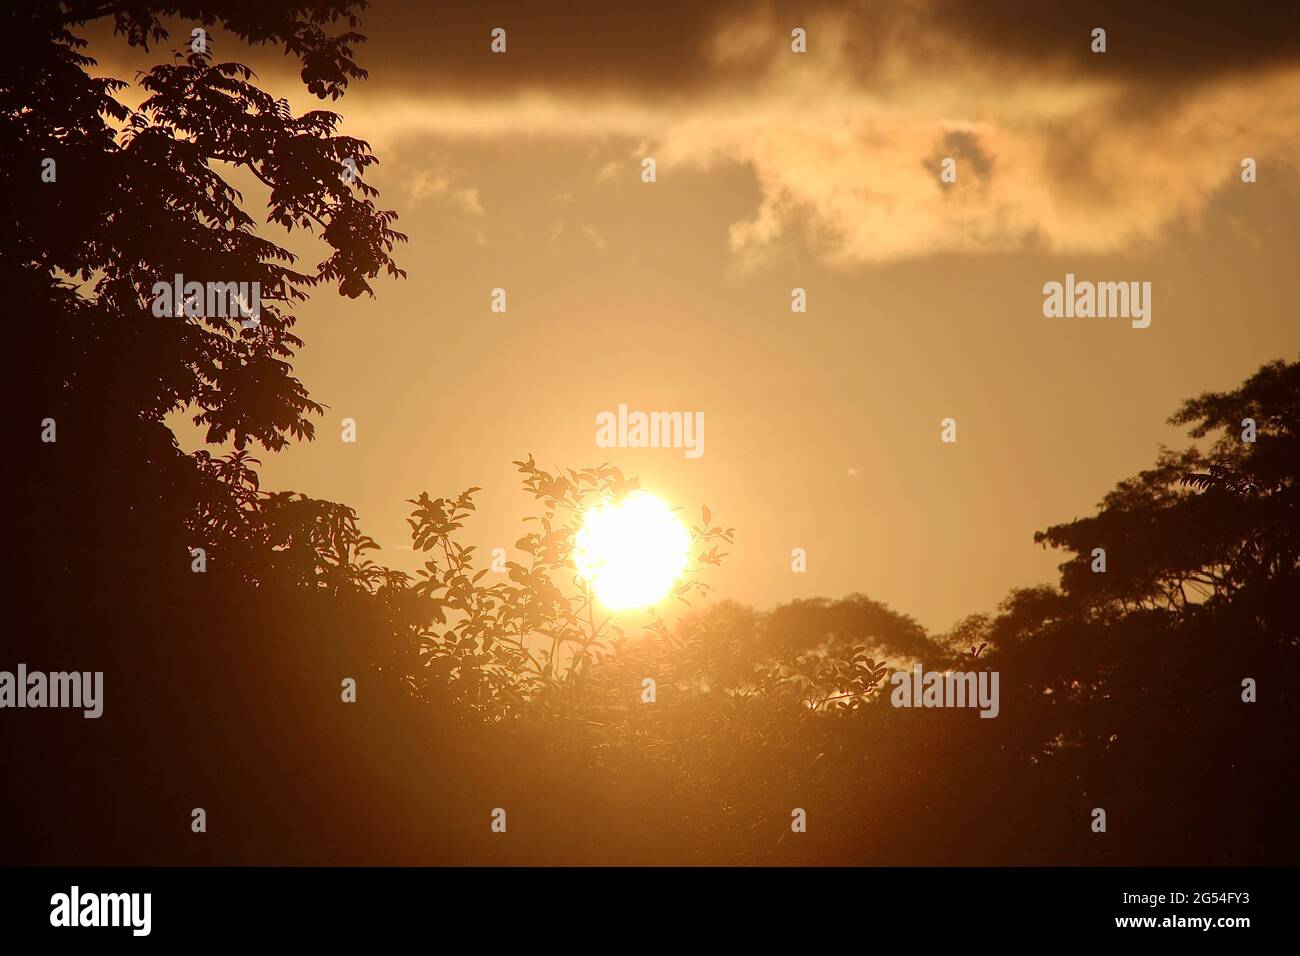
x,y
1086,178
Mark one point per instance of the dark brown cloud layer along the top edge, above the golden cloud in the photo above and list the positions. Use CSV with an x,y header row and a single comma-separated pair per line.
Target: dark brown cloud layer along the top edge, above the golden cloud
x,y
669,47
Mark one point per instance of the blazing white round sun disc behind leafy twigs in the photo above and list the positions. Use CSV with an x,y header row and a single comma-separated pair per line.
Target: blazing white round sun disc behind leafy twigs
x,y
631,551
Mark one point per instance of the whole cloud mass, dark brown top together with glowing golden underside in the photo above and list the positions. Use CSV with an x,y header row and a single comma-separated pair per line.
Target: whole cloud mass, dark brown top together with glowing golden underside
x,y
1058,149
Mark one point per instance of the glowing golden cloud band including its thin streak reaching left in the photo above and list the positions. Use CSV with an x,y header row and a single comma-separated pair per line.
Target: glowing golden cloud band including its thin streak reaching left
x,y
1061,166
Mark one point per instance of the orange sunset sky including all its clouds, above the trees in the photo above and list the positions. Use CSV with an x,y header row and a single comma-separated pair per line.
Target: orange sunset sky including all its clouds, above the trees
x,y
820,171
